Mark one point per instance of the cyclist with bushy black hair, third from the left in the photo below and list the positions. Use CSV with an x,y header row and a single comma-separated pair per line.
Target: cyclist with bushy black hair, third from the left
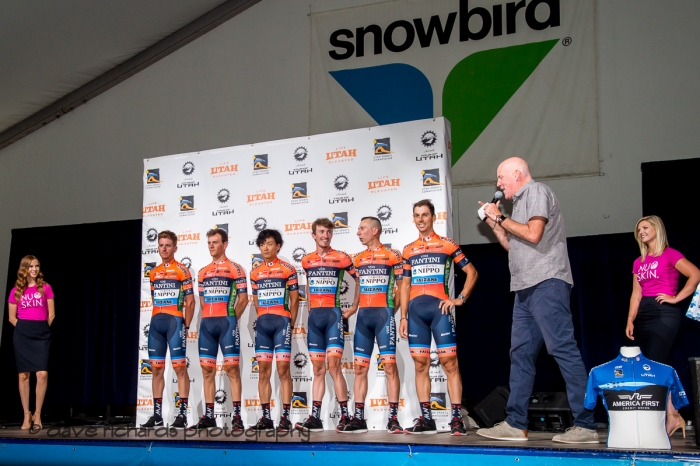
x,y
276,297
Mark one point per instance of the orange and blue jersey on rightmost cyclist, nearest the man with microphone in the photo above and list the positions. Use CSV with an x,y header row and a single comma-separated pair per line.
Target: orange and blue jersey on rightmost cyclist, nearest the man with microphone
x,y
427,263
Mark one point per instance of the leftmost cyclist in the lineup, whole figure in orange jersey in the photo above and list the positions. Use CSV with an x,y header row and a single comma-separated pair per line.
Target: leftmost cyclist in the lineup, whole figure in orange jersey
x,y
171,291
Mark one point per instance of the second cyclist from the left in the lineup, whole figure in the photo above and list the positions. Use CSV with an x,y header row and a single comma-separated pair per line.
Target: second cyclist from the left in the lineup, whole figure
x,y
223,297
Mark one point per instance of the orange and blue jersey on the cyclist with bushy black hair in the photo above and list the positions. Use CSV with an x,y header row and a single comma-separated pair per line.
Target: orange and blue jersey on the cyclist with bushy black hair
x,y
271,282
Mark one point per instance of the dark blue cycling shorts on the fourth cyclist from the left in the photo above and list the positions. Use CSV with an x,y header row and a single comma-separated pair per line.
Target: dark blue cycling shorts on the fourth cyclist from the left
x,y
325,333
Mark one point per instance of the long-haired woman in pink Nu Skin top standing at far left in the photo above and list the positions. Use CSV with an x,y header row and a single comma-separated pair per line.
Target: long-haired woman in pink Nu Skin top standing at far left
x,y
31,312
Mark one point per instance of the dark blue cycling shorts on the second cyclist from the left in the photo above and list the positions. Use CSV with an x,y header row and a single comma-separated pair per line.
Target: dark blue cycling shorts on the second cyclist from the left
x,y
215,333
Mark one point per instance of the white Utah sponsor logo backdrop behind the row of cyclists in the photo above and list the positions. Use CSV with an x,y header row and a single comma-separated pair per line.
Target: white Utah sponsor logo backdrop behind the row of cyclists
x,y
378,171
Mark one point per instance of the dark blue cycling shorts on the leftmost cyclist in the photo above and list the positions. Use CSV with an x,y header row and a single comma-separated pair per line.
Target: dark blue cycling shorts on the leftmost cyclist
x,y
167,330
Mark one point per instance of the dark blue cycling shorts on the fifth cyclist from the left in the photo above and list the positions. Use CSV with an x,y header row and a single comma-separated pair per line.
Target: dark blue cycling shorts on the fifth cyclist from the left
x,y
375,322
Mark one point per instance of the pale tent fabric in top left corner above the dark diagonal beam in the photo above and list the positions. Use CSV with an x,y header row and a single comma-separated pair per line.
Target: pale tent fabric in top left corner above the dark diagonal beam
x,y
48,49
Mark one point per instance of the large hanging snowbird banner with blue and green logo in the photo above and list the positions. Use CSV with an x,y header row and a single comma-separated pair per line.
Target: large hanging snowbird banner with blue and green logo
x,y
513,78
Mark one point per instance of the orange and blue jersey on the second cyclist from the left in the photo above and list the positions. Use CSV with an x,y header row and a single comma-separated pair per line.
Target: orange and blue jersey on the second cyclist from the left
x,y
220,284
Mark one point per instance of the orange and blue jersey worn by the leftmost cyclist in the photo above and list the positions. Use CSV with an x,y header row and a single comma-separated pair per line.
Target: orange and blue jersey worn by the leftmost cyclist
x,y
170,283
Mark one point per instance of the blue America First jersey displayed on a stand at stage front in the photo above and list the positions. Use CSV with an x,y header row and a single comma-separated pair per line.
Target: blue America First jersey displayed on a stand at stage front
x,y
635,391
